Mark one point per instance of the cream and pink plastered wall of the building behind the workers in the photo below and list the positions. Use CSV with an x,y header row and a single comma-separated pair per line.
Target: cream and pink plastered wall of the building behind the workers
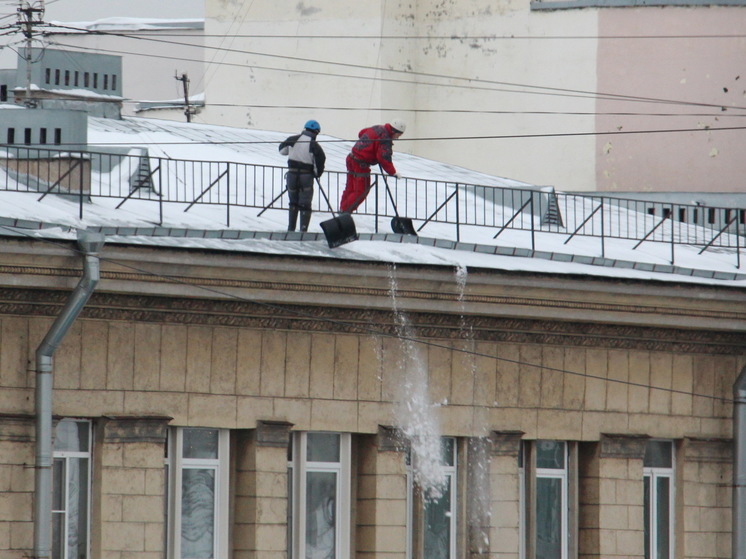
x,y
619,96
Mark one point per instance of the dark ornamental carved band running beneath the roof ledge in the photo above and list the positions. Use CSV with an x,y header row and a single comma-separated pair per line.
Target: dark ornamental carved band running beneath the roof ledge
x,y
447,327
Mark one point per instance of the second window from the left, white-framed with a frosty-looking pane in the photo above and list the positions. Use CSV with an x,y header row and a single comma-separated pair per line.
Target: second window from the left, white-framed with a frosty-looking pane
x,y
197,470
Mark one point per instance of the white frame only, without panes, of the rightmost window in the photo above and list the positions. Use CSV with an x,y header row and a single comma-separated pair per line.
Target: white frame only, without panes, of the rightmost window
x,y
650,506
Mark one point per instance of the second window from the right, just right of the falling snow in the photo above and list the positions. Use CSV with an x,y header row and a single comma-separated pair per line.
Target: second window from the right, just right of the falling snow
x,y
546,499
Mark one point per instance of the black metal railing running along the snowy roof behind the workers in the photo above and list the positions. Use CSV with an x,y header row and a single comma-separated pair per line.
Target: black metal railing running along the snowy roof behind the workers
x,y
134,175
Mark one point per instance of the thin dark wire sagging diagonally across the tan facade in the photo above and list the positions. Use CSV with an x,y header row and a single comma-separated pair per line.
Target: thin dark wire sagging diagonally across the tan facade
x,y
367,329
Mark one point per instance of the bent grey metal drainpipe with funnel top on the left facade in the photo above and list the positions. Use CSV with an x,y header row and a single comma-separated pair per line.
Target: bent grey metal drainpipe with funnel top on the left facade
x,y
90,243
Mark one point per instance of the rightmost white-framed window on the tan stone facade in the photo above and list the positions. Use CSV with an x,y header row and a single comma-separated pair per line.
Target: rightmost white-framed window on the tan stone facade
x,y
659,493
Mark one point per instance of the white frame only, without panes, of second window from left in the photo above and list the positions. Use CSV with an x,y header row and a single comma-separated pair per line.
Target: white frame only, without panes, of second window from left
x,y
175,464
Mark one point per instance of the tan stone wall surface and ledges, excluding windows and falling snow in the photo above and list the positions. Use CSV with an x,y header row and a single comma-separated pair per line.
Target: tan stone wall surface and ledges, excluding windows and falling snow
x,y
602,365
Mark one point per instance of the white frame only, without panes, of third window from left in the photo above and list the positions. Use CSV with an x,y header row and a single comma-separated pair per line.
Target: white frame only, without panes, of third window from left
x,y
298,468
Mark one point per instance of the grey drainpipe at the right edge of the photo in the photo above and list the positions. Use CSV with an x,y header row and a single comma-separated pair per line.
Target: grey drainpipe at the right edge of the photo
x,y
739,467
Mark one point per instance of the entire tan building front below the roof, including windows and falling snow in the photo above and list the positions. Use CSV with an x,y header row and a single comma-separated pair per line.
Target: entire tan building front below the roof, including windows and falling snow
x,y
237,405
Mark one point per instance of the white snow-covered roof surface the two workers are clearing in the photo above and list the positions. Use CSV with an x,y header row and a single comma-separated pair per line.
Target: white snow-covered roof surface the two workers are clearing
x,y
203,226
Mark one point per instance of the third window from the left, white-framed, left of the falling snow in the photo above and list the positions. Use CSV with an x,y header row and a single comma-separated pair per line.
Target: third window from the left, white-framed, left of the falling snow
x,y
319,496
